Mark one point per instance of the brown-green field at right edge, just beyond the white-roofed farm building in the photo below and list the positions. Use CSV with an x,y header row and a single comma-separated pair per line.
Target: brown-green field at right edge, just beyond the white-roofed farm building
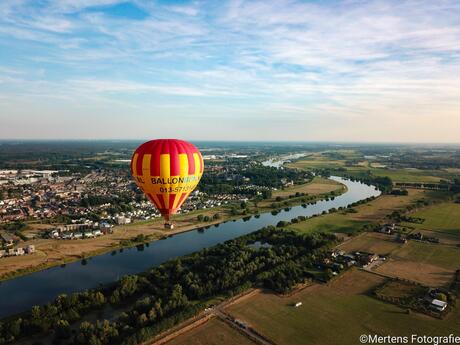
x,y
429,264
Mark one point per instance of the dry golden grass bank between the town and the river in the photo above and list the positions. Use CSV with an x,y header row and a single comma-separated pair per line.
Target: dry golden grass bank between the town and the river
x,y
51,252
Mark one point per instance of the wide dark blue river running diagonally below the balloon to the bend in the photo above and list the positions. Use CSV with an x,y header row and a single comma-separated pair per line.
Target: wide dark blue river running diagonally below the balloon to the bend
x,y
20,294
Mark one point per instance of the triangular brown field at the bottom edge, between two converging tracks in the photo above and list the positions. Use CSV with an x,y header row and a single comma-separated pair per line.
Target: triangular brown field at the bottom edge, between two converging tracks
x,y
213,332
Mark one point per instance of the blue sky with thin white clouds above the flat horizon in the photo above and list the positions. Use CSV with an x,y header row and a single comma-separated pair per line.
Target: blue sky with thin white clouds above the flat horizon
x,y
233,70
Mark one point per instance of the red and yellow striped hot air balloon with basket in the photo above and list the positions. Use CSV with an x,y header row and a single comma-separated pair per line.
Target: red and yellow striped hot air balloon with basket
x,y
167,171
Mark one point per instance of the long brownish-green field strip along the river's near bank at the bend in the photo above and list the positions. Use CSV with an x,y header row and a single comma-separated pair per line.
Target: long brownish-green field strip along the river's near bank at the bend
x,y
374,211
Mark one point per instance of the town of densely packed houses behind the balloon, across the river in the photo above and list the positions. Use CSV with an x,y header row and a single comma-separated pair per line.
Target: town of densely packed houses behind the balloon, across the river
x,y
82,205
